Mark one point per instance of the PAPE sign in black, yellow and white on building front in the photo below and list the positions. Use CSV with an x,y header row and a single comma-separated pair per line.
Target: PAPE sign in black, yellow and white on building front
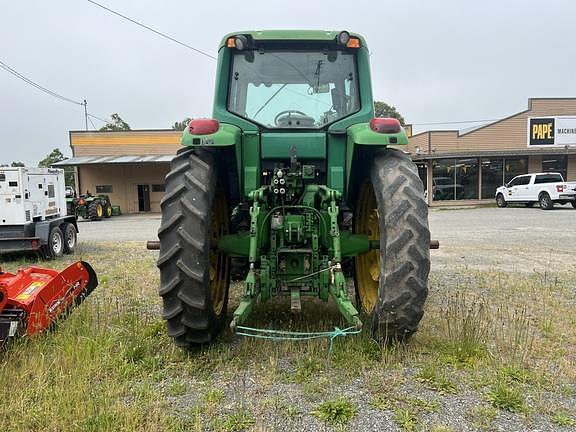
x,y
552,131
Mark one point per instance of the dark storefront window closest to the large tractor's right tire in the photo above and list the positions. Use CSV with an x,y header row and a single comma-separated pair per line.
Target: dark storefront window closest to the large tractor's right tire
x,y
455,179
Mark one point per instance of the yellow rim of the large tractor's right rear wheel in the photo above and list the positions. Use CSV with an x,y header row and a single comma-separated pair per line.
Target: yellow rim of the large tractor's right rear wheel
x,y
368,264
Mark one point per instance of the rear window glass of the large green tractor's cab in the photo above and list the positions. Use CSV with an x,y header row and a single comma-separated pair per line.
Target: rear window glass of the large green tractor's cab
x,y
294,89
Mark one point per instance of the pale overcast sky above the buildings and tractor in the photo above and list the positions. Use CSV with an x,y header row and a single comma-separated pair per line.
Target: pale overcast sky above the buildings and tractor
x,y
436,61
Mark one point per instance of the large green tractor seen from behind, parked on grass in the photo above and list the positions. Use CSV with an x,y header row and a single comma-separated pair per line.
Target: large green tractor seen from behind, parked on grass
x,y
294,176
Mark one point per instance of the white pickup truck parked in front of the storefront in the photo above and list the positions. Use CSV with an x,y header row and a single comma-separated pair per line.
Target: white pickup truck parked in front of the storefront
x,y
544,188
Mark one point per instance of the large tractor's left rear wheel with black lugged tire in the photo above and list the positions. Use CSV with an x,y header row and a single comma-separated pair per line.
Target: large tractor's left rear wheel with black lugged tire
x,y
194,276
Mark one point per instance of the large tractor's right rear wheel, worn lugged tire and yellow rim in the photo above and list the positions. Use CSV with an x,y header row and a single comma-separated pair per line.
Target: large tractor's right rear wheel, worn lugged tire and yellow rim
x,y
392,284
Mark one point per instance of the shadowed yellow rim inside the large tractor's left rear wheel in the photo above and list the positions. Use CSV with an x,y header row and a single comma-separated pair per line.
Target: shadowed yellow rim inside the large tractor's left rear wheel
x,y
218,260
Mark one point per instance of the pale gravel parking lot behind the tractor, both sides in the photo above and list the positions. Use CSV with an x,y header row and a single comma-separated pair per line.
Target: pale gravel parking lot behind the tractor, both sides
x,y
513,238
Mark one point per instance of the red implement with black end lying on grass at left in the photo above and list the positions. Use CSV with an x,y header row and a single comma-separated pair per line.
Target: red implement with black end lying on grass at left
x,y
34,298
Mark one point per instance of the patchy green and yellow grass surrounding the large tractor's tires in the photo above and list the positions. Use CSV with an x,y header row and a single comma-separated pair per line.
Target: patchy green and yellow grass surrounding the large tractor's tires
x,y
505,337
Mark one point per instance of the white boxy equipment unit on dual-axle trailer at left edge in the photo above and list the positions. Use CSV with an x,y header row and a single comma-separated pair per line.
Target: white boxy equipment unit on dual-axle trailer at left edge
x,y
33,212
